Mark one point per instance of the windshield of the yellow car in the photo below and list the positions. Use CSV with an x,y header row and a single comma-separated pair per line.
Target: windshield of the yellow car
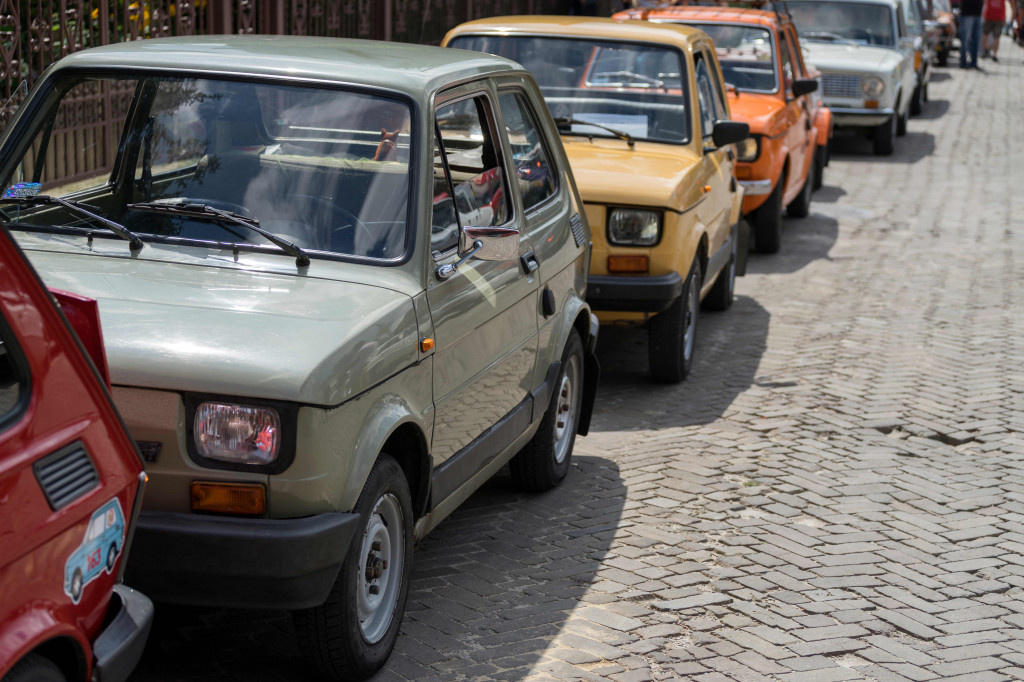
x,y
632,89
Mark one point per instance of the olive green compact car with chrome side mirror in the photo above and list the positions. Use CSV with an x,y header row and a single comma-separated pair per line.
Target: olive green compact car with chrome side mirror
x,y
343,284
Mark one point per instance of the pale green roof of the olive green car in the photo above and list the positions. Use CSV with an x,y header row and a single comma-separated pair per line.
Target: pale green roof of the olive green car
x,y
403,67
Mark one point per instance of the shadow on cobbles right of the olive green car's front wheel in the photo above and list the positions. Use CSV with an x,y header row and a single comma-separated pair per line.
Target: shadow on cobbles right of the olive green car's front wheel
x,y
496,583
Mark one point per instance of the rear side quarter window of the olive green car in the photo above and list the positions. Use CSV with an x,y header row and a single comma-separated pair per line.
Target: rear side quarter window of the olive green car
x,y
533,166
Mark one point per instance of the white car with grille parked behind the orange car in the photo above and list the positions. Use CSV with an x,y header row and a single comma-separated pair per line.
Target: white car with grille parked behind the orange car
x,y
866,57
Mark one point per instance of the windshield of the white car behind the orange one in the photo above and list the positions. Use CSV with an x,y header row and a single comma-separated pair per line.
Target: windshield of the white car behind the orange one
x,y
861,23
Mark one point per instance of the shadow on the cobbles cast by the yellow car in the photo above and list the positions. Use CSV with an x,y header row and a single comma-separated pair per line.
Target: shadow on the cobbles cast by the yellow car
x,y
729,351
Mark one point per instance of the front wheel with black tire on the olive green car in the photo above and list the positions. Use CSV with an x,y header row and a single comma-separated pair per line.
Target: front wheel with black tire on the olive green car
x,y
352,635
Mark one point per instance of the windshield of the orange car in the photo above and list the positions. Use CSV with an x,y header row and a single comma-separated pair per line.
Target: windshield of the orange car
x,y
746,55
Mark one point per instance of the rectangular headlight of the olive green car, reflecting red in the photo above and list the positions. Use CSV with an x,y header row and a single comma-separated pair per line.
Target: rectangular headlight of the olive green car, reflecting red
x,y
241,435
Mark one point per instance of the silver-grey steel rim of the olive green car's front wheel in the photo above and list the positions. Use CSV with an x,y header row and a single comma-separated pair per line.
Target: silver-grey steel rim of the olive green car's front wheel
x,y
382,559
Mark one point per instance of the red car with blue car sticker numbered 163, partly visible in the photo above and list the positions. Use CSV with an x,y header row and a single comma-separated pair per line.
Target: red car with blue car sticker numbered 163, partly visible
x,y
71,481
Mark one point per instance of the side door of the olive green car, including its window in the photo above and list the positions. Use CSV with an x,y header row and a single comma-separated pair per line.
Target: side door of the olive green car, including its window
x,y
486,315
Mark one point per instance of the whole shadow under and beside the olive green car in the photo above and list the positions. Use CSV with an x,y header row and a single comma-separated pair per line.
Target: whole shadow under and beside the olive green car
x,y
492,586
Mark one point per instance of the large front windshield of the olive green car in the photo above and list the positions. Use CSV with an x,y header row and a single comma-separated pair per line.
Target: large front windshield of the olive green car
x,y
324,169
